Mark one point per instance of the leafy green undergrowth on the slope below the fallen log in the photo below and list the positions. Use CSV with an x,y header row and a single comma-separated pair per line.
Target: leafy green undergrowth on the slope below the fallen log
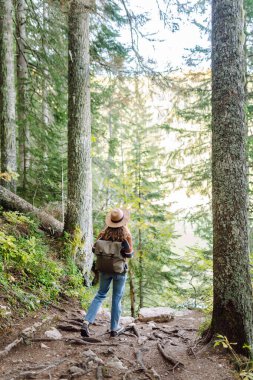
x,y
35,269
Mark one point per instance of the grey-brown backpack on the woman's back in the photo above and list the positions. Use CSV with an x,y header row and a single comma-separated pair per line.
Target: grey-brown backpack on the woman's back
x,y
109,258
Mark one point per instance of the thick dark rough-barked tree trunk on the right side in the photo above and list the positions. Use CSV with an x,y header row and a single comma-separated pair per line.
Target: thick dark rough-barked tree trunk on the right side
x,y
232,312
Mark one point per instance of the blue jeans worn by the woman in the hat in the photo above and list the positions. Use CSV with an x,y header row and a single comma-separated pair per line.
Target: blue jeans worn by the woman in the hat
x,y
105,280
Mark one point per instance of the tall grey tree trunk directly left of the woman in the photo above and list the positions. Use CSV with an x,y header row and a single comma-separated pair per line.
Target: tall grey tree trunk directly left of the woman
x,y
79,207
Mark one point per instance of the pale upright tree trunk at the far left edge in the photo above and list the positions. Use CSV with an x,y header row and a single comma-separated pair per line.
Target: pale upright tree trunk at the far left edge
x,y
7,93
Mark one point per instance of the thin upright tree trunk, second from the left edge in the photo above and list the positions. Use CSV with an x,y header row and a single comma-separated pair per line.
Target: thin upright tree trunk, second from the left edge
x,y
22,81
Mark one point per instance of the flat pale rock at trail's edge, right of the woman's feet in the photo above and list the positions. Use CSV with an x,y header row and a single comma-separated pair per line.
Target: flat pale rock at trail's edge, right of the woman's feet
x,y
156,314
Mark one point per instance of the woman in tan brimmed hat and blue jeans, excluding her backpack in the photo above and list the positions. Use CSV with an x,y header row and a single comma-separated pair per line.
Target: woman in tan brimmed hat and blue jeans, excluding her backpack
x,y
116,230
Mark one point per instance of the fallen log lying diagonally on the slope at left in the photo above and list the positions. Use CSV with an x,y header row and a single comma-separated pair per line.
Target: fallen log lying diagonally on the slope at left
x,y
11,201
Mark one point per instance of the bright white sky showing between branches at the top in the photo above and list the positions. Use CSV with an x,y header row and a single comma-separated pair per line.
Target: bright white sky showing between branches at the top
x,y
172,45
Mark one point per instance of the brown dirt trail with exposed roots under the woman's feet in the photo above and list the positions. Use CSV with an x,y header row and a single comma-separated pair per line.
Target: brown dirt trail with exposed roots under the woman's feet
x,y
126,357
